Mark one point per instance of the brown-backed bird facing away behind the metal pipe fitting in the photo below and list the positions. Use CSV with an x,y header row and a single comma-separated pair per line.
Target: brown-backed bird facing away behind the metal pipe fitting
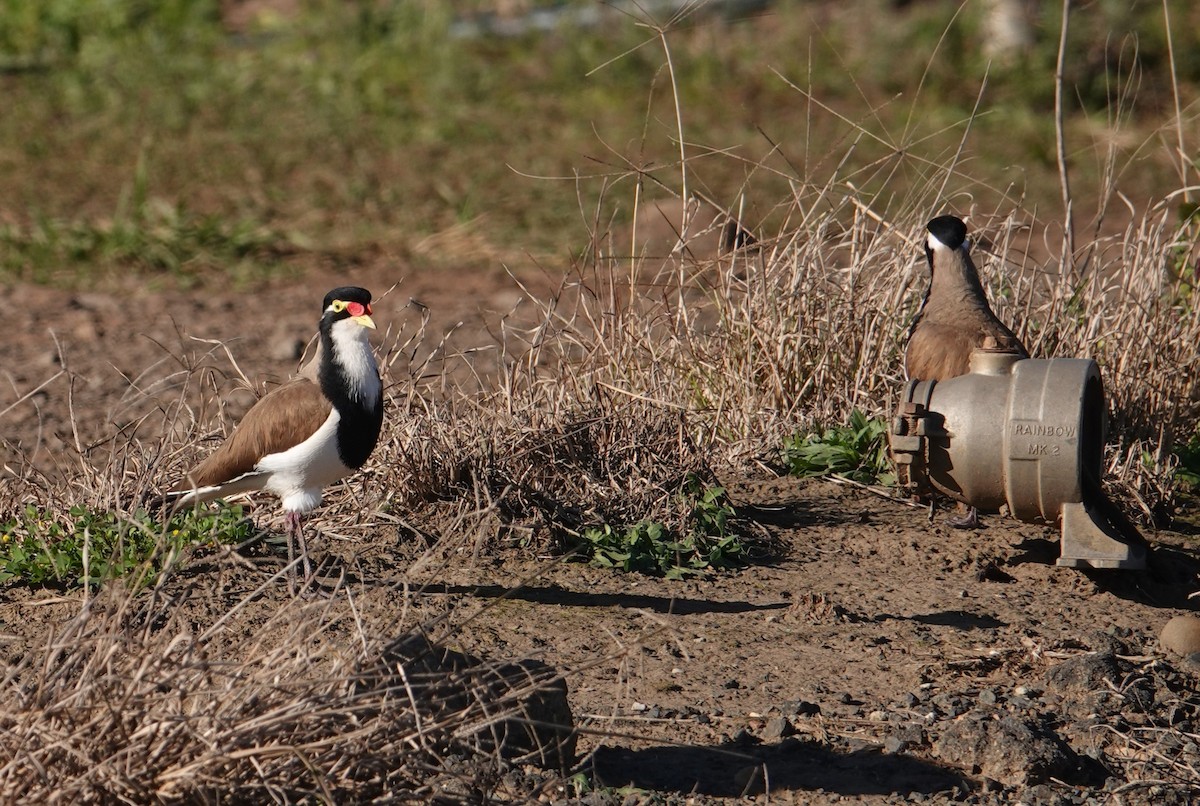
x,y
955,320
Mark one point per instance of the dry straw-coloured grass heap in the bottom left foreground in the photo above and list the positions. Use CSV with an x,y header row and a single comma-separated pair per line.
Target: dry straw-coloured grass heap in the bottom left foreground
x,y
128,702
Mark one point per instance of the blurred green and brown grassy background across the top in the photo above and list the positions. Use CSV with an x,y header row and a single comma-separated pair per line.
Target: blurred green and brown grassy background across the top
x,y
190,137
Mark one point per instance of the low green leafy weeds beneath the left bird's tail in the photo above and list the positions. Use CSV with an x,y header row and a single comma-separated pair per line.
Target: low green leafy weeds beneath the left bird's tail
x,y
93,546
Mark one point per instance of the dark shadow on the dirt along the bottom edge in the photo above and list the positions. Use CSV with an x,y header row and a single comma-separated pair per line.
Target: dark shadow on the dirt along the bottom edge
x,y
794,765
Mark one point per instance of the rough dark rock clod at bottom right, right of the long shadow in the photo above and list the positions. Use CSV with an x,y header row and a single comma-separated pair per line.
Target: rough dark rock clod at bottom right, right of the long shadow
x,y
1016,753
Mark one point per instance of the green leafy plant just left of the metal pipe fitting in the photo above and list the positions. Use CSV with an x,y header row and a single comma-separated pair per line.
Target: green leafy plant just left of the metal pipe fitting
x,y
857,452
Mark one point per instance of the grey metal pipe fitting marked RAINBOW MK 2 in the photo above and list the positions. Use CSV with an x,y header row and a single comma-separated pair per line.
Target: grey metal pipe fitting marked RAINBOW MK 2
x,y
1023,434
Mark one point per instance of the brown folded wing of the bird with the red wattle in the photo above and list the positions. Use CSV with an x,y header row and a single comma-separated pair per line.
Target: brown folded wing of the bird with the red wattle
x,y
285,418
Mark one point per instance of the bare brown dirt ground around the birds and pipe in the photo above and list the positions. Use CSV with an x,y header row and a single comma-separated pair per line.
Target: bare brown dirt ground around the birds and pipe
x,y
872,658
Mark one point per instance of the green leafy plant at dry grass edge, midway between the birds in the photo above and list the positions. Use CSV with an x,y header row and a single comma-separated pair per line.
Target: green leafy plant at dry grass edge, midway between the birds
x,y
706,543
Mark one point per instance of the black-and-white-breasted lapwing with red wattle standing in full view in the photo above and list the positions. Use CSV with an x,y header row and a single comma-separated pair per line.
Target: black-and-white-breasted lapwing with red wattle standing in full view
x,y
308,434
